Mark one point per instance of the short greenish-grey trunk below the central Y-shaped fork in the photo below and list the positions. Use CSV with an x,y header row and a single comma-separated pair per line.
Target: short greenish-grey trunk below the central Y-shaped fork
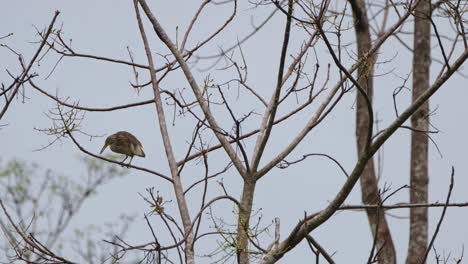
x,y
243,223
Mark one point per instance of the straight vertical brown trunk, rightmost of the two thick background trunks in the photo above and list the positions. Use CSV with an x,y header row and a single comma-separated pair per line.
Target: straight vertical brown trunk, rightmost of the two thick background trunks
x,y
419,178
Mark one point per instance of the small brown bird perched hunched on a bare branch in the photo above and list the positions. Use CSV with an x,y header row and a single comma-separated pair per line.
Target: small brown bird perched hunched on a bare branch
x,y
124,143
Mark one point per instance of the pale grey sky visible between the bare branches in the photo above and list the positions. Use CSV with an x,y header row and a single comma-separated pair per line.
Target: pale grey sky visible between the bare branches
x,y
107,27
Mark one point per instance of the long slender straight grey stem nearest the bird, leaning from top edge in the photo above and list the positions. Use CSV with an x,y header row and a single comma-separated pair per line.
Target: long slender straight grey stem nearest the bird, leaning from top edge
x,y
178,189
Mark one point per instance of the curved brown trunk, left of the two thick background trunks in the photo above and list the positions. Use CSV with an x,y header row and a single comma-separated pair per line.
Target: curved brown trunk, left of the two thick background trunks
x,y
369,185
